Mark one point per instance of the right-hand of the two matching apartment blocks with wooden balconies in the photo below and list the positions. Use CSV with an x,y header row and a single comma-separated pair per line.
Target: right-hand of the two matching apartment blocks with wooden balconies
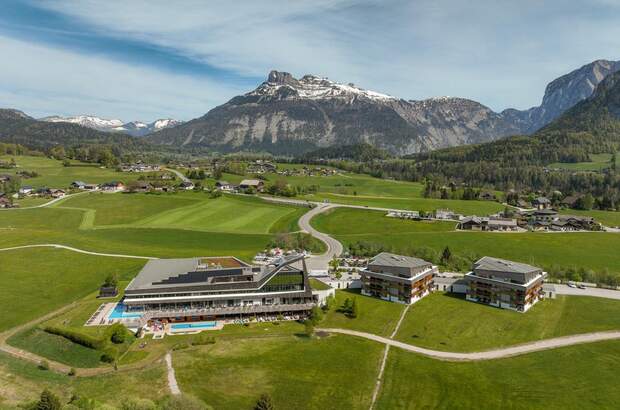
x,y
505,284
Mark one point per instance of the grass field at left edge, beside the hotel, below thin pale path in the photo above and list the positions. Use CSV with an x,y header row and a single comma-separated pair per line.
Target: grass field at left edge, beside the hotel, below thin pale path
x,y
34,282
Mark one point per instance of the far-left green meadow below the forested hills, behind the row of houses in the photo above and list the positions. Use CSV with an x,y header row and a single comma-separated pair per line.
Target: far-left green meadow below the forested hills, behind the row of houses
x,y
54,175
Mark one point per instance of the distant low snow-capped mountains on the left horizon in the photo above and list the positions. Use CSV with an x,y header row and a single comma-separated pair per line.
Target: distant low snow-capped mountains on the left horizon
x,y
133,128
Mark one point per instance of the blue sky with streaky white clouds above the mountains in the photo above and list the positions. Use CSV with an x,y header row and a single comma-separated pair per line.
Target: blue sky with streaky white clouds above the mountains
x,y
155,59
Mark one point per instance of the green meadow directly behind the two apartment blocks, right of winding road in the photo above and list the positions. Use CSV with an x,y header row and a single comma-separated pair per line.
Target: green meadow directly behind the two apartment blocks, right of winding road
x,y
590,250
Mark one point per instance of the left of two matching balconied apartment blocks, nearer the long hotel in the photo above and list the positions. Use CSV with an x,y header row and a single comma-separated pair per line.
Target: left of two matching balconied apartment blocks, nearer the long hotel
x,y
397,278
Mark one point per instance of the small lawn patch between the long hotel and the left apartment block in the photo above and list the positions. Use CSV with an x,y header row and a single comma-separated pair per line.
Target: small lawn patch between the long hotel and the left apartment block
x,y
375,315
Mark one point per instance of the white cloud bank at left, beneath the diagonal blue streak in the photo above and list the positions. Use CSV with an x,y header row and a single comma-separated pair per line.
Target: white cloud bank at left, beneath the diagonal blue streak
x,y
44,81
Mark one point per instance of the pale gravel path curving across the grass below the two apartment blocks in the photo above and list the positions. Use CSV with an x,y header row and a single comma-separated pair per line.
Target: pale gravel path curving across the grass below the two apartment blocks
x,y
489,354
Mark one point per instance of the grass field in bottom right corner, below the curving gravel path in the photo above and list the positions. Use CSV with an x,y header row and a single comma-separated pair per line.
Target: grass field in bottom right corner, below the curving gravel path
x,y
578,377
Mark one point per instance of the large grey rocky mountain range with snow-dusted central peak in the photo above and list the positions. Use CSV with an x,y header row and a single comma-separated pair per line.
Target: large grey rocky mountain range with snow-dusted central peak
x,y
289,115
